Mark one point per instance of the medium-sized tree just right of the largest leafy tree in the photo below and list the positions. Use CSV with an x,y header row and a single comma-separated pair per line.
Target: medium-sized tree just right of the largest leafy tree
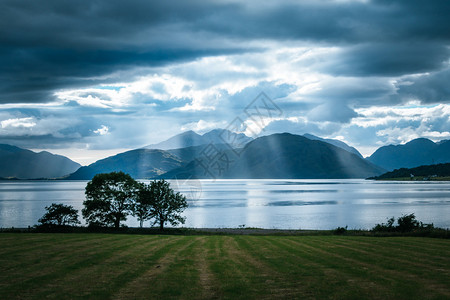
x,y
165,205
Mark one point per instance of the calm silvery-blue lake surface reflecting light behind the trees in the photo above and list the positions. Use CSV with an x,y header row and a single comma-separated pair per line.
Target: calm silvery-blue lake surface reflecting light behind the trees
x,y
283,204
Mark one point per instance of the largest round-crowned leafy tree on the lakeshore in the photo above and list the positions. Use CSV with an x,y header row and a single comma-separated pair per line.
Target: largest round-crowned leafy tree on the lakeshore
x,y
108,199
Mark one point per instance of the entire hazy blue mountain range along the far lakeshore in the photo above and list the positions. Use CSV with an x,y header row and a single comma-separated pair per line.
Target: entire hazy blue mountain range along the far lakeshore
x,y
224,154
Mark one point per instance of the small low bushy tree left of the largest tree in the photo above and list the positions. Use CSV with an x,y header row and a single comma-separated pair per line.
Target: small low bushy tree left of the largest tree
x,y
59,215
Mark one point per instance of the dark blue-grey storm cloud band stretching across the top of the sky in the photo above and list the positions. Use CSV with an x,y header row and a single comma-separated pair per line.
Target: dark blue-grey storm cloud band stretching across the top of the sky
x,y
50,45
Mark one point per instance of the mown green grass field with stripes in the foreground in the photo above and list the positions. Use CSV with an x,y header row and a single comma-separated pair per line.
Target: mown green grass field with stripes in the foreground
x,y
113,266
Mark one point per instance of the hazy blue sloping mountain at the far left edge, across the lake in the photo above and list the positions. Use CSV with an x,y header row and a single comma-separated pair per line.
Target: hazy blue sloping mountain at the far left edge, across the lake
x,y
25,164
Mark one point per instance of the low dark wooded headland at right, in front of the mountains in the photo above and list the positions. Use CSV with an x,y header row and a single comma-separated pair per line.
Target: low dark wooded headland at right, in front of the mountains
x,y
438,170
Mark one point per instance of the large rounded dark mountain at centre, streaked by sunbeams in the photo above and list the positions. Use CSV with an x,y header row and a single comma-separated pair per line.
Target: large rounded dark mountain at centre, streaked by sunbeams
x,y
281,156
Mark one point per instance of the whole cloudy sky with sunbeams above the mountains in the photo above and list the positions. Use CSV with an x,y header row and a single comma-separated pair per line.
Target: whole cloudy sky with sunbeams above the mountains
x,y
91,79
